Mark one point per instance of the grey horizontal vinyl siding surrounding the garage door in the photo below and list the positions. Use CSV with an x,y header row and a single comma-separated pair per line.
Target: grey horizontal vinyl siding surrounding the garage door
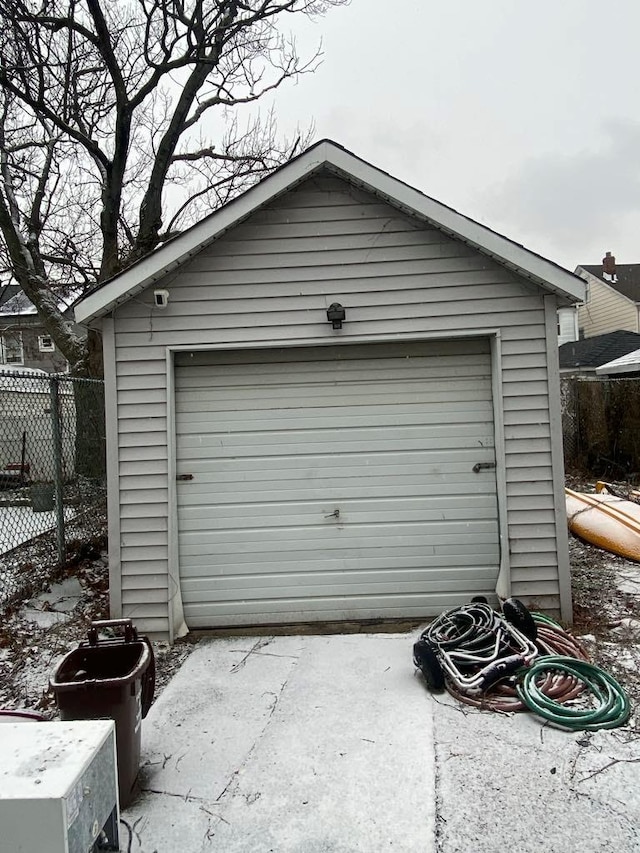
x,y
271,278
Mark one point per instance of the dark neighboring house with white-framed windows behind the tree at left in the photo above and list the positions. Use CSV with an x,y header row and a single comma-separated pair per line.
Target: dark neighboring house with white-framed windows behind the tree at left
x,y
23,340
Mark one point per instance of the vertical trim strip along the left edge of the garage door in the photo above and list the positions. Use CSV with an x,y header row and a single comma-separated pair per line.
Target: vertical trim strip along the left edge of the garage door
x,y
177,625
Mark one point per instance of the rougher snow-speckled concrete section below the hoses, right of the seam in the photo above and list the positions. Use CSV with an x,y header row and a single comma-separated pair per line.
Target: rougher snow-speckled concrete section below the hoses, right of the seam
x,y
512,783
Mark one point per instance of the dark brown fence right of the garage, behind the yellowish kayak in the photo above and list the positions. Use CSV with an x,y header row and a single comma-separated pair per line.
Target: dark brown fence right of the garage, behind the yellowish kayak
x,y
601,426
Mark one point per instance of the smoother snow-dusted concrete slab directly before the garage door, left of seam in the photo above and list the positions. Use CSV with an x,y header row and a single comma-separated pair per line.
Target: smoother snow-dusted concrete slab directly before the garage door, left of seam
x,y
289,744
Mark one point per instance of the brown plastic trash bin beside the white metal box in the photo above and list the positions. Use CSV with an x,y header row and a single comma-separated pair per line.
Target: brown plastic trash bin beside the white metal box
x,y
110,679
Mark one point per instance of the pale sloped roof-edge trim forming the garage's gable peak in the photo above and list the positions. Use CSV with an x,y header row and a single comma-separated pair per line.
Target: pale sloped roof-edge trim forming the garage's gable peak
x,y
333,157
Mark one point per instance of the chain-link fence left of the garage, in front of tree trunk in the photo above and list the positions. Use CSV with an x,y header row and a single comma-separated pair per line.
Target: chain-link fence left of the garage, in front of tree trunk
x,y
52,476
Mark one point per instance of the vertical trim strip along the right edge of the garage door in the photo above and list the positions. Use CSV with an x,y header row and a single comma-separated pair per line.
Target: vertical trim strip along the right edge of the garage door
x,y
503,583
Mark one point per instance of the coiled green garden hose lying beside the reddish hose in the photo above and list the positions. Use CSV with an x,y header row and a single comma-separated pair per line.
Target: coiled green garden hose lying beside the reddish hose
x,y
612,706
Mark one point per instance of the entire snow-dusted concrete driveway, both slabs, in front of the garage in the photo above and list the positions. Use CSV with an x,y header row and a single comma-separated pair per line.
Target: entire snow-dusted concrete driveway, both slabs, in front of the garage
x,y
332,743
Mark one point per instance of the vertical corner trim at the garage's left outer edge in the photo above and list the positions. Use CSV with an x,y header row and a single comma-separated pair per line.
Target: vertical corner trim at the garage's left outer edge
x,y
113,484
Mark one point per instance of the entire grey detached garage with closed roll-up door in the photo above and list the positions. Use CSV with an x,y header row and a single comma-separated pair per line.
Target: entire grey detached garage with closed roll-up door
x,y
333,399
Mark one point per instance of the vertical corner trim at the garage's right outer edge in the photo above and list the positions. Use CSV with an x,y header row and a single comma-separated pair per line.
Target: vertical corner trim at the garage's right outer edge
x,y
557,460
